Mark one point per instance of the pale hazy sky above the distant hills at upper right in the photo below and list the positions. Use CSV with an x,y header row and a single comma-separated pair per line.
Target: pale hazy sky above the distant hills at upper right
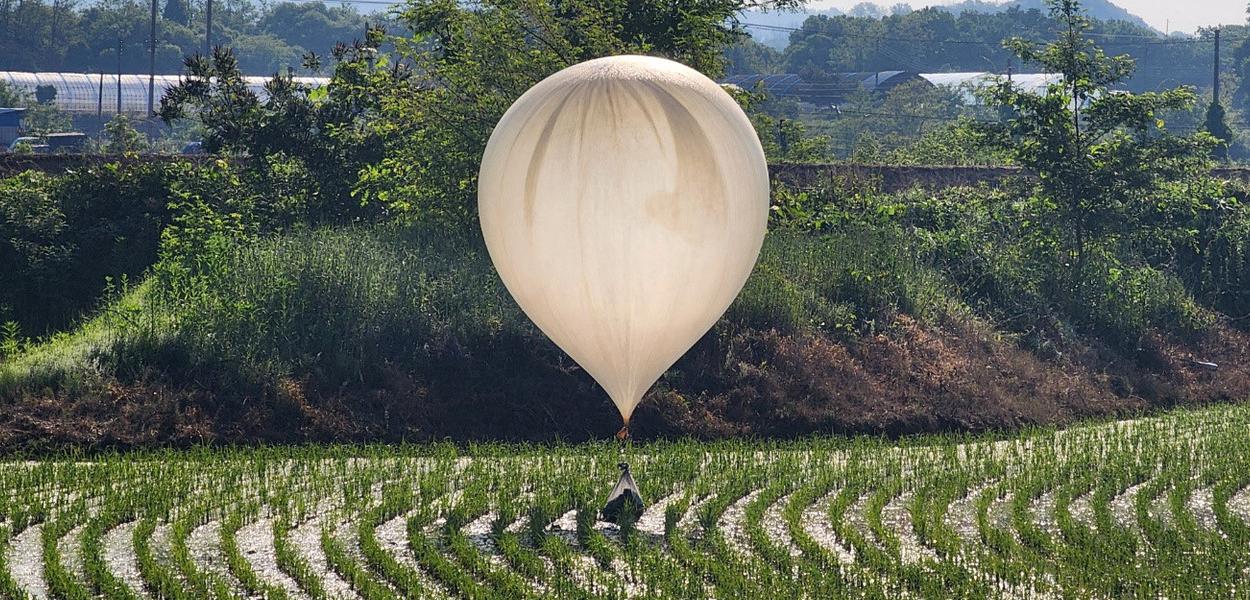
x,y
1177,16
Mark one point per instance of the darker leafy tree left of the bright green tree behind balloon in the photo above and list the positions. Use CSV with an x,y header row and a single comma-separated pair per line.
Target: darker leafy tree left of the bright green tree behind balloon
x,y
309,142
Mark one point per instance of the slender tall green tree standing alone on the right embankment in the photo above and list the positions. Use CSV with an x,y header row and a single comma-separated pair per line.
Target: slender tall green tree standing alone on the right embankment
x,y
1104,159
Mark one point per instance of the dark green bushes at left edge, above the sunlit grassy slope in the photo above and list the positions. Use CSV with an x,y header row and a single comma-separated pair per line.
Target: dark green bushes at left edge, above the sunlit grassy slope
x,y
62,238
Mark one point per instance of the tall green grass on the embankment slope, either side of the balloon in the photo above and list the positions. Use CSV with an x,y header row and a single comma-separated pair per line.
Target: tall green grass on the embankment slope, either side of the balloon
x,y
348,303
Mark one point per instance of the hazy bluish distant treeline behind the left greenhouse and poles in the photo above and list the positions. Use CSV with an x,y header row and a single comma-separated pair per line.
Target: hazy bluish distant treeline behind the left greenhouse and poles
x,y
54,36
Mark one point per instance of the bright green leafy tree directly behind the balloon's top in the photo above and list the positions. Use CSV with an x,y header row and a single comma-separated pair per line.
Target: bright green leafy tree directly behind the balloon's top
x,y
477,61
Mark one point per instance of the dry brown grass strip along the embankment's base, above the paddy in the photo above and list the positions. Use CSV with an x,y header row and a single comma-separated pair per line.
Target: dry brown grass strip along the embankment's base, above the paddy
x,y
956,377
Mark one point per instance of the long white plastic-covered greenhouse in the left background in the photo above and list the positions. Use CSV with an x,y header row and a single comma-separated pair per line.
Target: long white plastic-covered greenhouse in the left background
x,y
98,93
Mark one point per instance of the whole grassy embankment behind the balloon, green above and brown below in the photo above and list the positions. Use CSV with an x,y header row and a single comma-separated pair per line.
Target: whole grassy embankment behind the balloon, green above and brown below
x,y
882,314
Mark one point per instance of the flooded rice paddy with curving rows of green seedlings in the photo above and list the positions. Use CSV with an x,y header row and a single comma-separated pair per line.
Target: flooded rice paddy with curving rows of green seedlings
x,y
1151,508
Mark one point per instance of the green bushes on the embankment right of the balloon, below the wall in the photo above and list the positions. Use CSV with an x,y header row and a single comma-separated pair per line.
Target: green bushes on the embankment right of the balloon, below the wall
x,y
992,252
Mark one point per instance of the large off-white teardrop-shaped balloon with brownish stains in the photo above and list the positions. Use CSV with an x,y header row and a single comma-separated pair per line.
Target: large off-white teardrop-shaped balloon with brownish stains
x,y
624,202
